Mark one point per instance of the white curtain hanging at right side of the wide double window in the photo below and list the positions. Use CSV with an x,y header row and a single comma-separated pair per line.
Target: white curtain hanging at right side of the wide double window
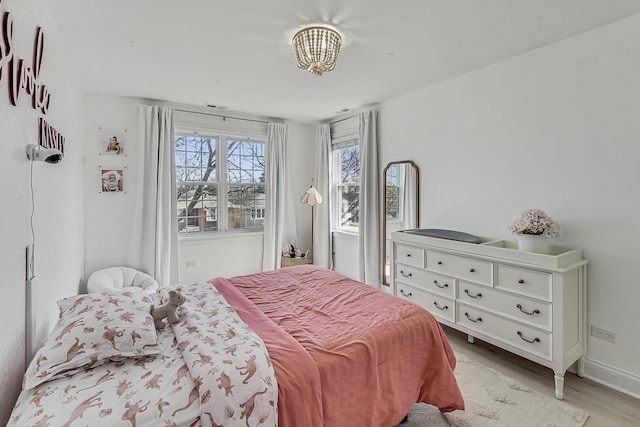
x,y
279,203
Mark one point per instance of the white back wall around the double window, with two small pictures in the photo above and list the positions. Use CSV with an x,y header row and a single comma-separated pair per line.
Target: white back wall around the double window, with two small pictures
x,y
107,219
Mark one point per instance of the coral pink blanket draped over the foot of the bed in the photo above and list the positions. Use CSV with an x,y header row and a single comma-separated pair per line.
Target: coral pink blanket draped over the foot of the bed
x,y
372,355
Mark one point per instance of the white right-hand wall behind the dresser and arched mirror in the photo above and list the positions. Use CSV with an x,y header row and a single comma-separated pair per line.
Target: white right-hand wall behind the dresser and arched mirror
x,y
558,129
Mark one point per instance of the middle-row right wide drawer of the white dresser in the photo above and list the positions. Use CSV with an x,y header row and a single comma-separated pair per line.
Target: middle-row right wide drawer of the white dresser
x,y
533,312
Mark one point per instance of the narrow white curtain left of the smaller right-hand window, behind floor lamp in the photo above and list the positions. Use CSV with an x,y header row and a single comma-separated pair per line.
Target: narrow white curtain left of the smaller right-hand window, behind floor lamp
x,y
322,225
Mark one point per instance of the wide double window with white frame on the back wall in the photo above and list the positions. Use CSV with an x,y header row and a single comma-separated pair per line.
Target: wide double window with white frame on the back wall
x,y
220,183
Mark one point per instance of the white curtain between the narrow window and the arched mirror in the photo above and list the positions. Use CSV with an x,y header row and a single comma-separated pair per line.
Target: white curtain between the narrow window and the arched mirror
x,y
369,236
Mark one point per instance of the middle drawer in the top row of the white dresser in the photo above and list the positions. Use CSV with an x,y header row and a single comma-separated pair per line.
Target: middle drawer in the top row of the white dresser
x,y
461,267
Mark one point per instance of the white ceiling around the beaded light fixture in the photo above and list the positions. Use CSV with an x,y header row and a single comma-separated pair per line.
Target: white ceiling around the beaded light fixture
x,y
238,54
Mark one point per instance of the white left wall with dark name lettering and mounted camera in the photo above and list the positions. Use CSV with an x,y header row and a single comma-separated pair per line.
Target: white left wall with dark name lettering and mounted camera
x,y
57,191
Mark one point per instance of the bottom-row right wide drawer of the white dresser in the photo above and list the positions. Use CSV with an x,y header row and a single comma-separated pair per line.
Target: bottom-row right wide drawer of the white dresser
x,y
526,338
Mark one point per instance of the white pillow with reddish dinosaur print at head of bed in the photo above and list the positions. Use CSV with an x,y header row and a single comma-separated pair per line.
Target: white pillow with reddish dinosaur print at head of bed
x,y
94,329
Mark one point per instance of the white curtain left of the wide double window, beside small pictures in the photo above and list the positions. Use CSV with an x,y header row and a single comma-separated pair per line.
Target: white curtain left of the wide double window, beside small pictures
x,y
154,244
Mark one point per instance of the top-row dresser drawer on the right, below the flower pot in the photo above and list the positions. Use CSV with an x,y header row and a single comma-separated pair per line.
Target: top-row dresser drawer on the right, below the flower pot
x,y
523,281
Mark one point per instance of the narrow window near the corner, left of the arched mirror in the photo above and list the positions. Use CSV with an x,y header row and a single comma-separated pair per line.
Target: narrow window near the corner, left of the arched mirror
x,y
346,160
